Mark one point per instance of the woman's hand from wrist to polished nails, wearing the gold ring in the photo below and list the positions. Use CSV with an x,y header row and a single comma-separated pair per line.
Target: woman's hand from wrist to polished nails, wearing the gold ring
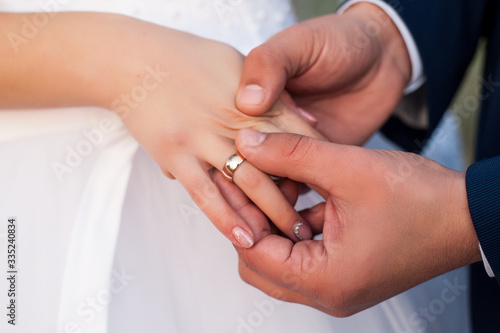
x,y
187,121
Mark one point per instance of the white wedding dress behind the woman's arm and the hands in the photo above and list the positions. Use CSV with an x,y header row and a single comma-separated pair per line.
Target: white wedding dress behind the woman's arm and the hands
x,y
111,245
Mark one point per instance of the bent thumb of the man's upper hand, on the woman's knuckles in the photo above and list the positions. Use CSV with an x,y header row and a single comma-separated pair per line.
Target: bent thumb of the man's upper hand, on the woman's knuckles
x,y
268,67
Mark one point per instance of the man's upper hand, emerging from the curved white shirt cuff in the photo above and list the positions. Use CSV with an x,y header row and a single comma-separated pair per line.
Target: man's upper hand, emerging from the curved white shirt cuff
x,y
348,71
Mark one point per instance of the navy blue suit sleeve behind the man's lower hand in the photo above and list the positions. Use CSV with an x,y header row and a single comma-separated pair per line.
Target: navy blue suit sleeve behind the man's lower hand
x,y
483,193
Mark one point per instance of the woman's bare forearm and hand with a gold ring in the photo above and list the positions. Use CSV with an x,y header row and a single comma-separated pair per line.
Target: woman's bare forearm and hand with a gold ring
x,y
188,120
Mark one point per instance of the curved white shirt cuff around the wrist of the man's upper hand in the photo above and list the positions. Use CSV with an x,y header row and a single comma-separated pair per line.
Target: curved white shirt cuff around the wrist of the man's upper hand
x,y
417,76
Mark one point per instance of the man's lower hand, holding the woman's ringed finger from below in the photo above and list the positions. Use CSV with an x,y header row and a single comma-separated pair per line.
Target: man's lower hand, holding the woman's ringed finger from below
x,y
391,221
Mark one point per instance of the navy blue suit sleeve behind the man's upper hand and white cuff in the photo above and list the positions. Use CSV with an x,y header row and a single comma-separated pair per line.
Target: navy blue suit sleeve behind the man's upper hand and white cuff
x,y
446,33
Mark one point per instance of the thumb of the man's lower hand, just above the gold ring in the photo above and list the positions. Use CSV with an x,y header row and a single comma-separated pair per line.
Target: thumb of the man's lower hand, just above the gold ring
x,y
300,158
